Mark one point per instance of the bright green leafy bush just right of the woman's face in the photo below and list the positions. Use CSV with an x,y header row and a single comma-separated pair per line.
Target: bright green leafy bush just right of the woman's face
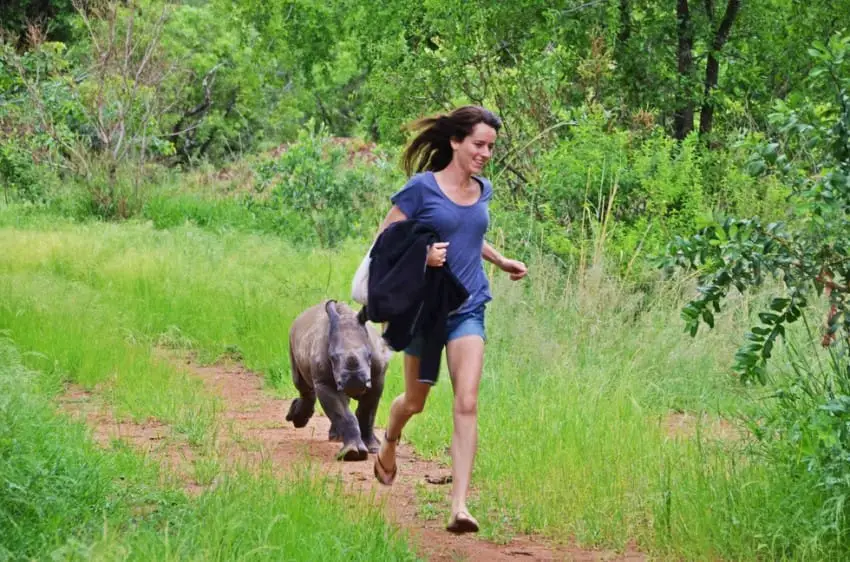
x,y
635,189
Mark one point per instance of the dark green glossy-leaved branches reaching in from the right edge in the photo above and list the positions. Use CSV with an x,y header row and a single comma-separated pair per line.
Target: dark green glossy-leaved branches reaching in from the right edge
x,y
809,251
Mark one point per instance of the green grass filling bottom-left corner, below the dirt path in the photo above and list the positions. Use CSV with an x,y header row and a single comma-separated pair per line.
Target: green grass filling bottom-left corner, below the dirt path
x,y
63,498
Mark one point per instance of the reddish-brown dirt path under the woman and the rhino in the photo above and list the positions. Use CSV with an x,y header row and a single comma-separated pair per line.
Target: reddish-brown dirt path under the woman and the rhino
x,y
255,431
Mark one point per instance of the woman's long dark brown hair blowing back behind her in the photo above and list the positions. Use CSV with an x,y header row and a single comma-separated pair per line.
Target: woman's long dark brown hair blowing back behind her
x,y
431,149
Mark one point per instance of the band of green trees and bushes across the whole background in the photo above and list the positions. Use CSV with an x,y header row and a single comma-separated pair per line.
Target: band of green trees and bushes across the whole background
x,y
585,152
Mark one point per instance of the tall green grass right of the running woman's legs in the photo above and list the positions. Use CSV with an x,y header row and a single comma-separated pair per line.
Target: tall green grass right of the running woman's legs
x,y
580,383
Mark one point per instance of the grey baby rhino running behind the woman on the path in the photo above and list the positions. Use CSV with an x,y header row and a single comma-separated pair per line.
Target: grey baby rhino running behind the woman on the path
x,y
335,358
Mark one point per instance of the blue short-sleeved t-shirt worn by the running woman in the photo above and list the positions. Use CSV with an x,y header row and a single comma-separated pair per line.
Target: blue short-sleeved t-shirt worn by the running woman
x,y
462,226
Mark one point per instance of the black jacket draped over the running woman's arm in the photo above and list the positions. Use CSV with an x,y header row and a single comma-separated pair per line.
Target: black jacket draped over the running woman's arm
x,y
409,295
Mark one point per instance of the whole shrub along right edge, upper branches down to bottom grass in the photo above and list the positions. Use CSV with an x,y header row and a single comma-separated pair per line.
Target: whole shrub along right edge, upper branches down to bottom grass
x,y
806,428
